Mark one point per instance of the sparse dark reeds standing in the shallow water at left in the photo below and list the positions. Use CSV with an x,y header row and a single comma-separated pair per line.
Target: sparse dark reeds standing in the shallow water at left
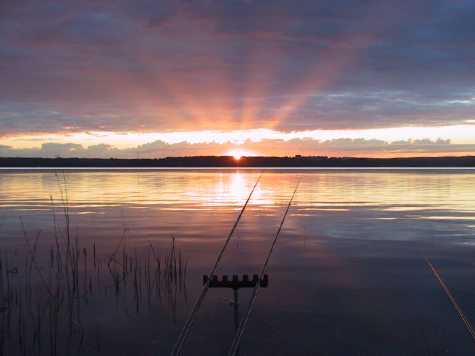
x,y
45,293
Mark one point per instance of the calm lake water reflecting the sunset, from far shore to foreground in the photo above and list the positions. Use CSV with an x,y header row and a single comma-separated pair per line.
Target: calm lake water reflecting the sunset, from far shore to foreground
x,y
348,275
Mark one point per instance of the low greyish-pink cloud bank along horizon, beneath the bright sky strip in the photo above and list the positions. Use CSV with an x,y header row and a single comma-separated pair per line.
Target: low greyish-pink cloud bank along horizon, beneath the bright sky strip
x,y
270,147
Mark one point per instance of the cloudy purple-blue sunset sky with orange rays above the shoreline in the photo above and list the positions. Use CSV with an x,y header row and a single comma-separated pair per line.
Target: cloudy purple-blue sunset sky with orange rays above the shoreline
x,y
152,79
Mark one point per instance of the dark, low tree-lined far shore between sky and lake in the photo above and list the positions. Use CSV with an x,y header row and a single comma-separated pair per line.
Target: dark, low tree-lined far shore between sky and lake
x,y
243,162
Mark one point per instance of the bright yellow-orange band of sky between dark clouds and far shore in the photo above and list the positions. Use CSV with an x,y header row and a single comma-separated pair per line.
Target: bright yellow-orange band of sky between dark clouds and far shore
x,y
454,140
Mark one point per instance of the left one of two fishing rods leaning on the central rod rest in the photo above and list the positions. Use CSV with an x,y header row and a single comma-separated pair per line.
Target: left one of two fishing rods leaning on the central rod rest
x,y
199,301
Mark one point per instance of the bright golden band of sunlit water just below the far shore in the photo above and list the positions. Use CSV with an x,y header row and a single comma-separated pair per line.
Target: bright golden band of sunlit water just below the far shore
x,y
214,188
